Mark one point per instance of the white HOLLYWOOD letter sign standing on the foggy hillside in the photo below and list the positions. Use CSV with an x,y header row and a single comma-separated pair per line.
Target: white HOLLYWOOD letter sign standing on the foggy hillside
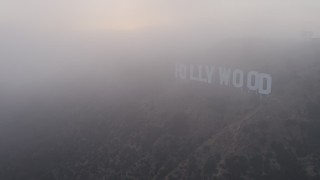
x,y
252,80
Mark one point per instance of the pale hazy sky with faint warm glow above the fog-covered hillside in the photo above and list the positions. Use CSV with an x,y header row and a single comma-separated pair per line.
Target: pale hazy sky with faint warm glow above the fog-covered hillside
x,y
43,39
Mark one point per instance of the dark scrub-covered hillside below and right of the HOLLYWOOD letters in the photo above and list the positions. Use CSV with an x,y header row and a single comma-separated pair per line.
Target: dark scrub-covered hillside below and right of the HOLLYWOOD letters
x,y
168,129
